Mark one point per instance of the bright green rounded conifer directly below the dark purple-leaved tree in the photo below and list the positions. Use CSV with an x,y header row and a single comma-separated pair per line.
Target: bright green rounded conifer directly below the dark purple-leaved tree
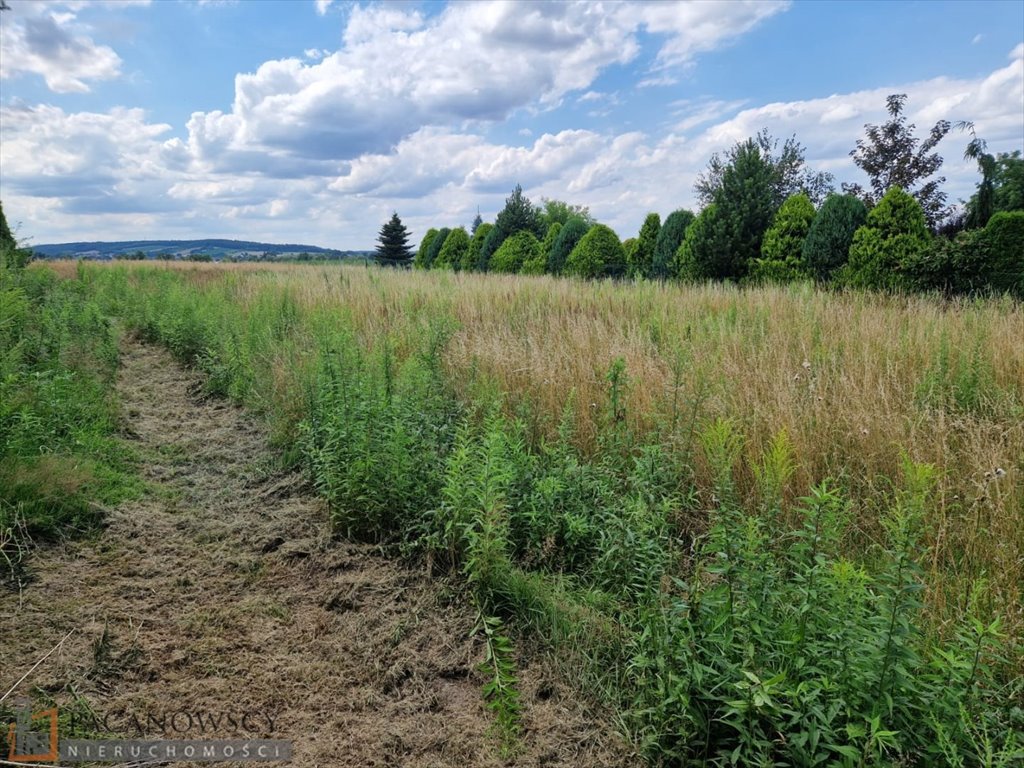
x,y
891,242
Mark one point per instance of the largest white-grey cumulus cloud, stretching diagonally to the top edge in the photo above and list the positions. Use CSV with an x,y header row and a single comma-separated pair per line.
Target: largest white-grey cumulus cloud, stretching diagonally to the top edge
x,y
399,71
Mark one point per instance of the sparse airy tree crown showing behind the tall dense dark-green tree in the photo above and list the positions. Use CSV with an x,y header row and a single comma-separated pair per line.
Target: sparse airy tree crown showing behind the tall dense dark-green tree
x,y
789,172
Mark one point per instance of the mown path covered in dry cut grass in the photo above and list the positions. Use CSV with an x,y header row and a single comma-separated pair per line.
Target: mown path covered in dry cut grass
x,y
223,592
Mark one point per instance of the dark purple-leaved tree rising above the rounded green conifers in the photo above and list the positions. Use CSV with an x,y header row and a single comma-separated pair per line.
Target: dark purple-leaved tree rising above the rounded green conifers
x,y
892,156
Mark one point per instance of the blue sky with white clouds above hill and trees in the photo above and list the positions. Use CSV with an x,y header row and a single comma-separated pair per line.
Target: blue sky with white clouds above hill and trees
x,y
311,121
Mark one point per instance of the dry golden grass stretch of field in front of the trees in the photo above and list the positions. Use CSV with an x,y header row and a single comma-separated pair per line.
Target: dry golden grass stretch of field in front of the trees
x,y
855,380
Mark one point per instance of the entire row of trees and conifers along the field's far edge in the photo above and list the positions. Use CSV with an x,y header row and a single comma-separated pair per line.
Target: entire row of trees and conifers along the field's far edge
x,y
766,218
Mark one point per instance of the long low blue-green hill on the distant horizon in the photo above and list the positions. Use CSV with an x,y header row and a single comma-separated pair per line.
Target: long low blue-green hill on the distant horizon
x,y
218,250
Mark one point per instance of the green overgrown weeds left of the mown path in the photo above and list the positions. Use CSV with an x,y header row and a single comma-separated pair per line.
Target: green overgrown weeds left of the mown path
x,y
59,456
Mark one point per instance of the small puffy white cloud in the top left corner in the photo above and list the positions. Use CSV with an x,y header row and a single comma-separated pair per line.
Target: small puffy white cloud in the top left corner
x,y
48,40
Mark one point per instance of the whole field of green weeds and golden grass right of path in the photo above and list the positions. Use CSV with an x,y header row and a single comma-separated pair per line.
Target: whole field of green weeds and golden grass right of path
x,y
745,510
